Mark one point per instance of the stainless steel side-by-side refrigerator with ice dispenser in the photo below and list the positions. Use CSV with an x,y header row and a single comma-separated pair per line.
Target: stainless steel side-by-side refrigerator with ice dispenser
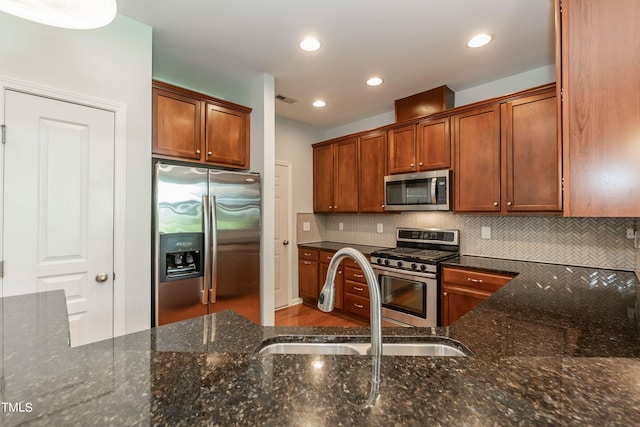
x,y
206,243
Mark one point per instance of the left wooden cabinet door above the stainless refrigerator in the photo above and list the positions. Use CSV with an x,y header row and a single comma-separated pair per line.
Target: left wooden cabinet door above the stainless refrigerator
x,y
177,125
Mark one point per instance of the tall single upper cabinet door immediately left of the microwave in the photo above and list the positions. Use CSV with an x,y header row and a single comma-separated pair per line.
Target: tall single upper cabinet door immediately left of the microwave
x,y
373,149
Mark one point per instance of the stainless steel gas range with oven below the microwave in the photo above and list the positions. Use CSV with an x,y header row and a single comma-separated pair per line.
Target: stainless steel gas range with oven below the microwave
x,y
409,274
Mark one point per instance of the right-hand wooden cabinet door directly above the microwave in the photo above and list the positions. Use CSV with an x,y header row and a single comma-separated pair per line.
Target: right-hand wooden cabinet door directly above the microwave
x,y
433,145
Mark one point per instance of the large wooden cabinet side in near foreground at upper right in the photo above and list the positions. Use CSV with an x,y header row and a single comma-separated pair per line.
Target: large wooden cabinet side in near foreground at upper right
x,y
600,63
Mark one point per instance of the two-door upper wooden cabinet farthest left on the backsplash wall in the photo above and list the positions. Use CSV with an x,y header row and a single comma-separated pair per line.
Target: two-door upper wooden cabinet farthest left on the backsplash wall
x,y
335,176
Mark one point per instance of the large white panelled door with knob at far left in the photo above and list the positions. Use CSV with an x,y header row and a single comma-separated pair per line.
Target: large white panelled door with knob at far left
x,y
58,229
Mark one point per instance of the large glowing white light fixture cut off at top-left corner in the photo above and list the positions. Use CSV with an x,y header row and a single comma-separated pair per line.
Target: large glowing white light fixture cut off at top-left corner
x,y
72,14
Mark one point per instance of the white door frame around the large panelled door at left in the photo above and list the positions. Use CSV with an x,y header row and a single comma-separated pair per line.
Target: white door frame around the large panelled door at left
x,y
119,180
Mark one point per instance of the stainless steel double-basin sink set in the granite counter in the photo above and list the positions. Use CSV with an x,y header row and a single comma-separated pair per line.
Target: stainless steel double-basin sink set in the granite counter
x,y
413,348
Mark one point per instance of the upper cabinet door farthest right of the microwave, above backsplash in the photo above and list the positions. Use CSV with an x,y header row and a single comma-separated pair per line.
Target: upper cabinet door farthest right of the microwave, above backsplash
x,y
533,155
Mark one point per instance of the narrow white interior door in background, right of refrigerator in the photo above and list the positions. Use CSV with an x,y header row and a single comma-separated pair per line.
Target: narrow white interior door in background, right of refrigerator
x,y
282,224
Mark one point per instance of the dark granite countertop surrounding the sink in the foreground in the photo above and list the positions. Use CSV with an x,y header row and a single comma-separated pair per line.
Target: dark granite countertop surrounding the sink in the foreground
x,y
557,345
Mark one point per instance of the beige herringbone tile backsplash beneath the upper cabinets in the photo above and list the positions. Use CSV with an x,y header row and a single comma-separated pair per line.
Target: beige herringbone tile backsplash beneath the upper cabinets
x,y
592,242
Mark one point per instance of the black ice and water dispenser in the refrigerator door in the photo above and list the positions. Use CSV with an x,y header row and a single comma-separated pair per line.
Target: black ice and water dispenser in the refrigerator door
x,y
181,256
